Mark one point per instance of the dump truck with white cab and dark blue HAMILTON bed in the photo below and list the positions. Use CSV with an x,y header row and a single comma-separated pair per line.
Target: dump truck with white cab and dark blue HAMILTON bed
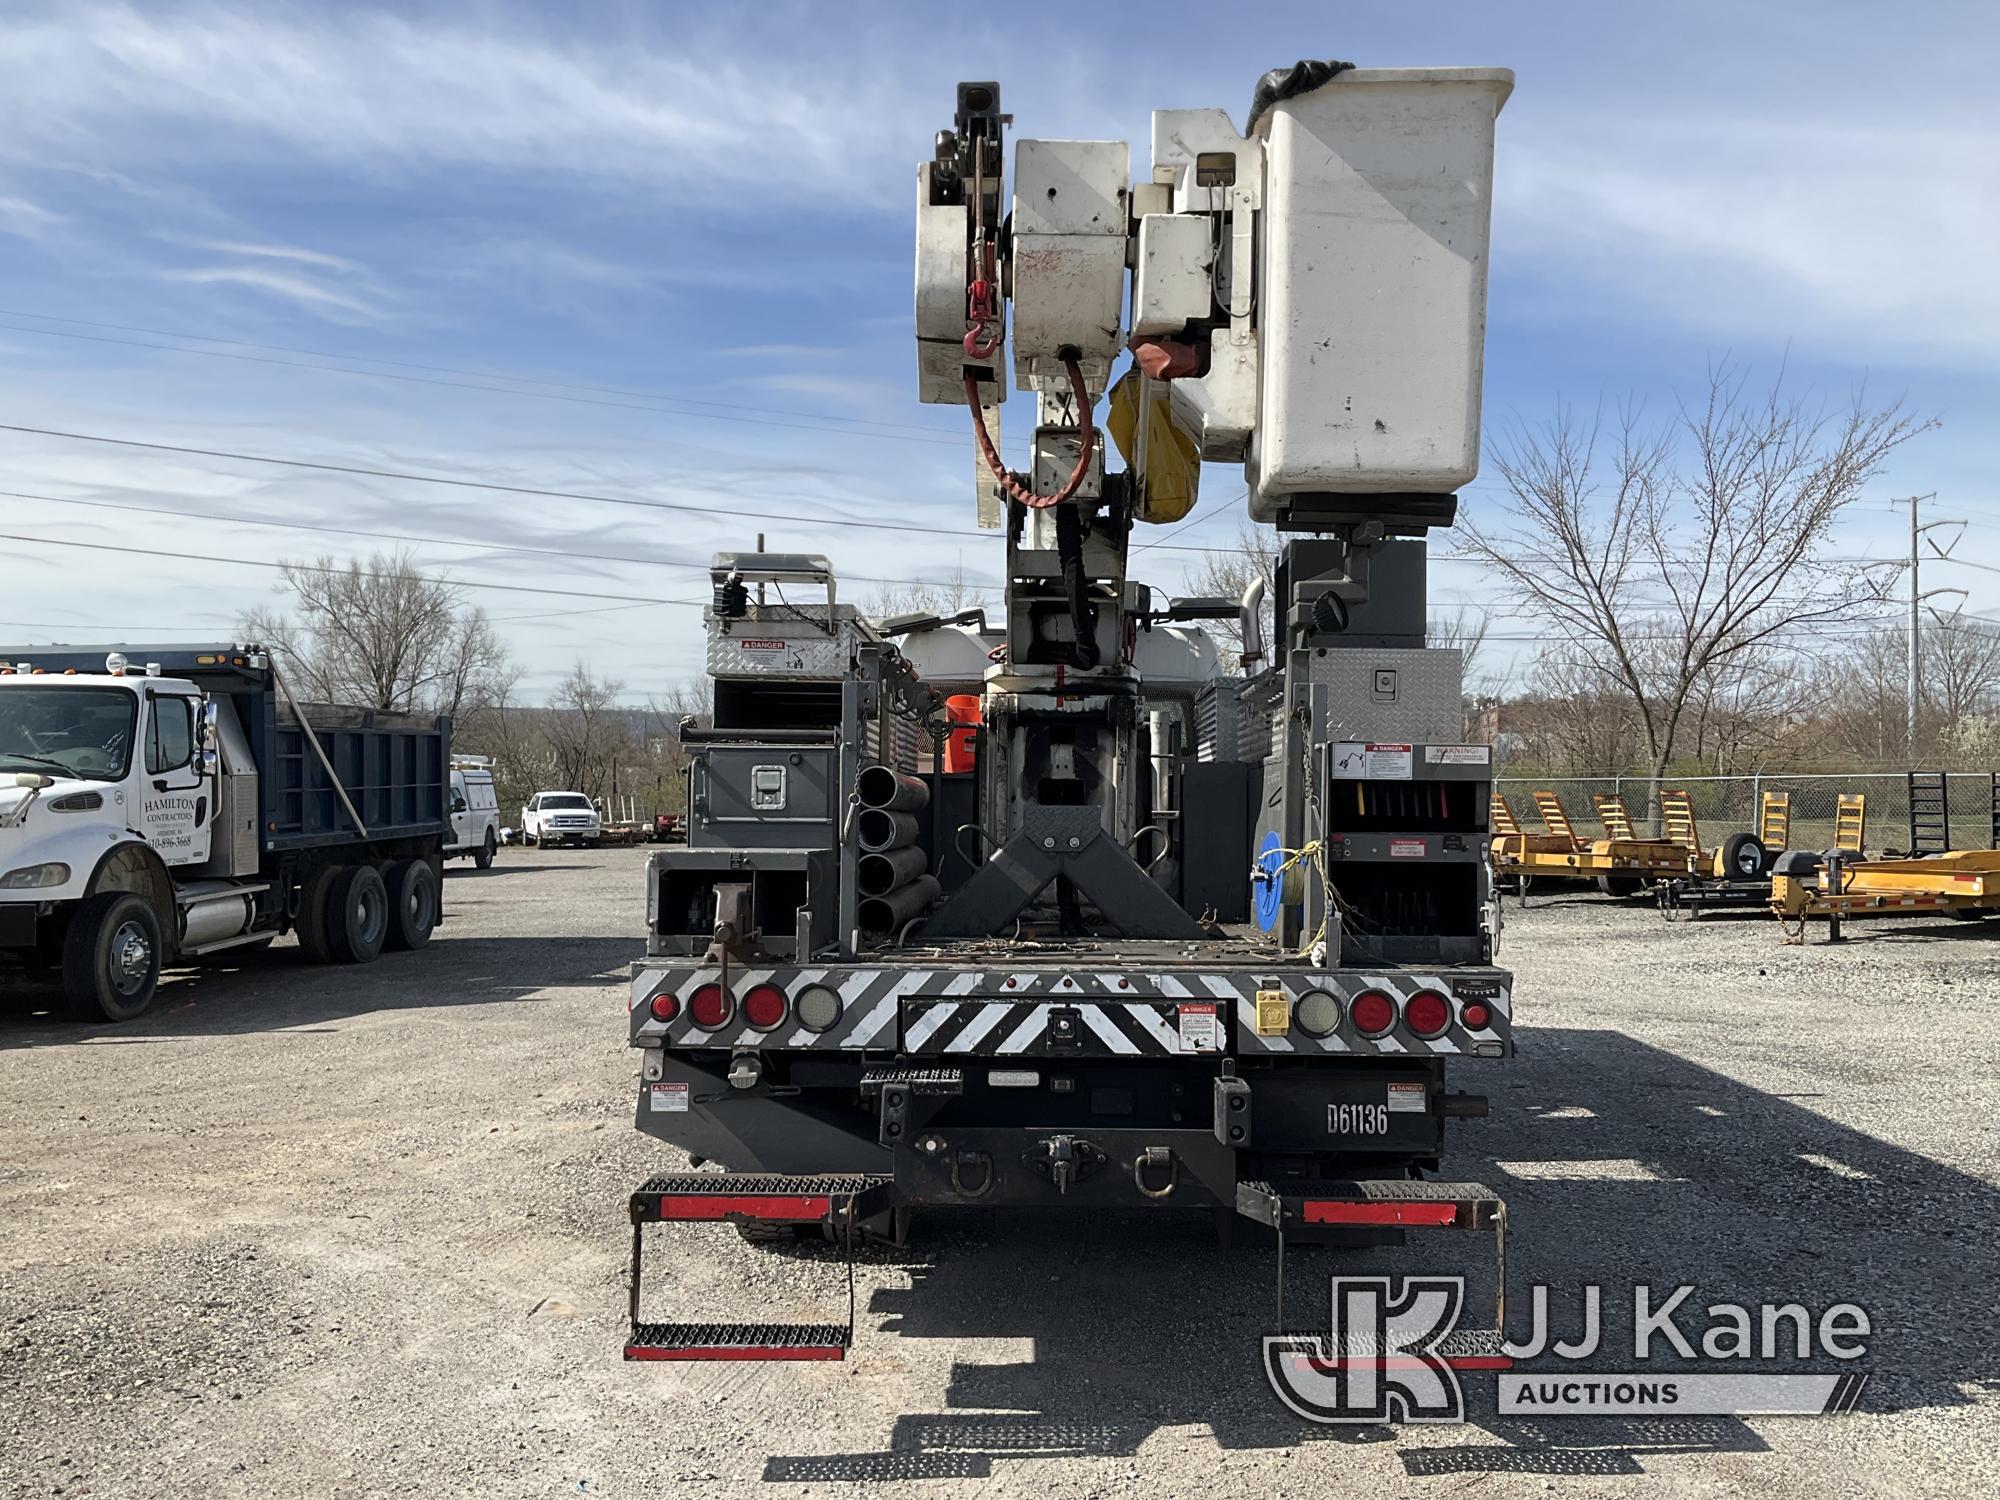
x,y
161,805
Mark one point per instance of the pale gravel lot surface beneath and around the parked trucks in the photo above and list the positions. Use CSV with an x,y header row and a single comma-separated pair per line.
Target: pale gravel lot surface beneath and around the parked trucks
x,y
349,1233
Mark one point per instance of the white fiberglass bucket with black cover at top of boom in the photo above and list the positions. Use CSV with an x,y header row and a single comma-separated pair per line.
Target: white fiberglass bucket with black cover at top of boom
x,y
1373,285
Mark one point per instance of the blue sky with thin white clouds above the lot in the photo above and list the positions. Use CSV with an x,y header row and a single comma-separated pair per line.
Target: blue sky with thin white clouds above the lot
x,y
663,253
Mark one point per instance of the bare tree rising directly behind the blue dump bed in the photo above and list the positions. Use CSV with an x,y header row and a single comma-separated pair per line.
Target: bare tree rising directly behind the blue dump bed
x,y
383,635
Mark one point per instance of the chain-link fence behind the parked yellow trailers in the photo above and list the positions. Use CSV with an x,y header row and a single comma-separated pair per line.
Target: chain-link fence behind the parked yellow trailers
x,y
1729,805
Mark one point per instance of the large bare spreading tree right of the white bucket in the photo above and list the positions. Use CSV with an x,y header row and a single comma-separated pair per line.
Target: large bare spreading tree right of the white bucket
x,y
1669,551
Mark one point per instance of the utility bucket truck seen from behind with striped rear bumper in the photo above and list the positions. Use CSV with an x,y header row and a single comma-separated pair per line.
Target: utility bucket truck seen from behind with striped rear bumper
x,y
1113,929
